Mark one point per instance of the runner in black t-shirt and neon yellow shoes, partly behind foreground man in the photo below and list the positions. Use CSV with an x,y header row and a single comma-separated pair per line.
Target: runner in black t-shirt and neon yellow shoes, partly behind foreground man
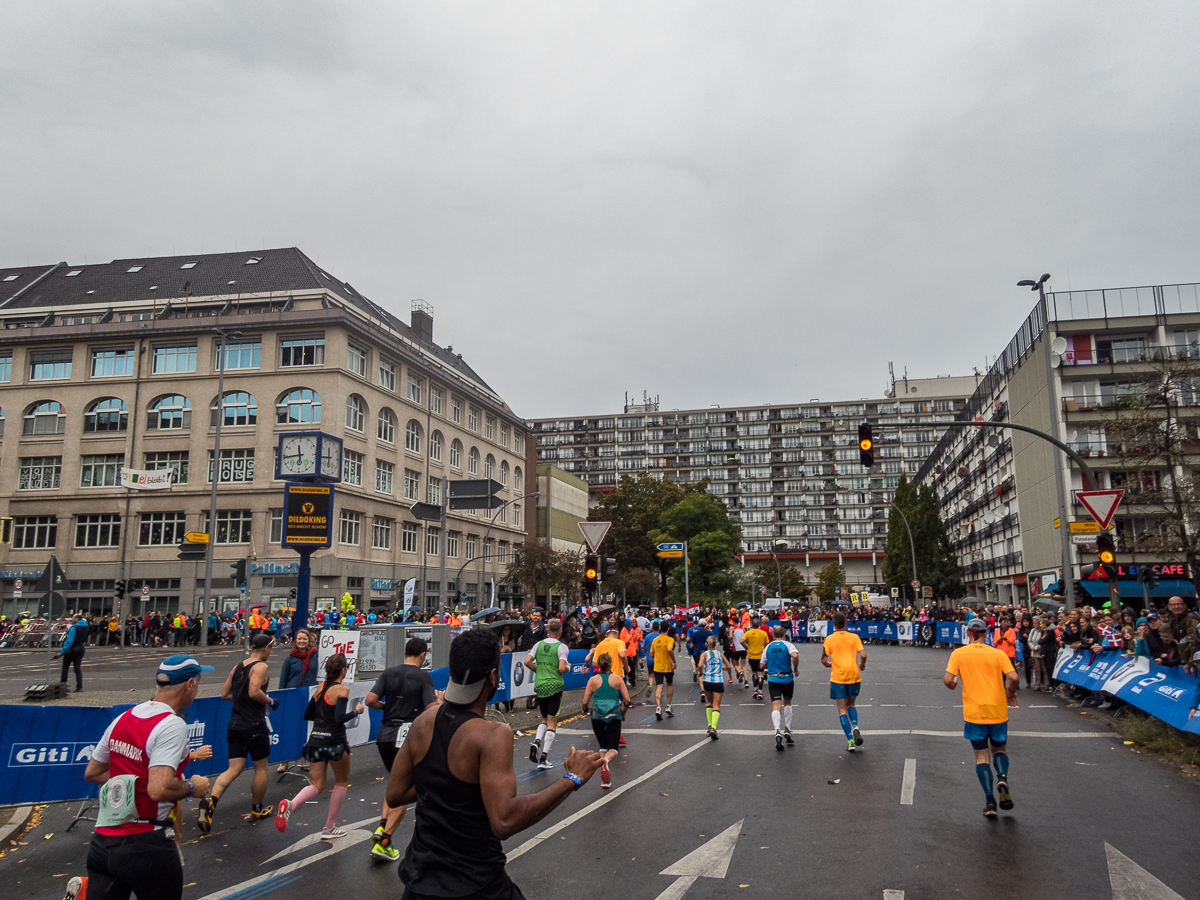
x,y
403,693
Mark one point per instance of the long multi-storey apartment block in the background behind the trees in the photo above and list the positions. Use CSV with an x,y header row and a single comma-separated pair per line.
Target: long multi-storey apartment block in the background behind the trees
x,y
789,473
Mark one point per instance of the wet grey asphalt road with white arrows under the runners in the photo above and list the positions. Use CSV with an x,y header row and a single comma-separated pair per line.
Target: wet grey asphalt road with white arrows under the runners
x,y
775,818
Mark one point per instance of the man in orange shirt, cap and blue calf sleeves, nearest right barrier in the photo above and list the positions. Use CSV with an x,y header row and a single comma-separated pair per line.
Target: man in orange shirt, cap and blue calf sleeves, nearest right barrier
x,y
988,682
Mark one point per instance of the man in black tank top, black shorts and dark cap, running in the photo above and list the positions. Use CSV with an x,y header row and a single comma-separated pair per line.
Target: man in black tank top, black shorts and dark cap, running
x,y
249,733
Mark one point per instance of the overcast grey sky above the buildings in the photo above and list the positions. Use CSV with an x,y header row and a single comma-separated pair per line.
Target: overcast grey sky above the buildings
x,y
716,203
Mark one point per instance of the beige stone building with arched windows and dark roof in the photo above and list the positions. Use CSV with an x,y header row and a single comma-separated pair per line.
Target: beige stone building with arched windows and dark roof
x,y
116,365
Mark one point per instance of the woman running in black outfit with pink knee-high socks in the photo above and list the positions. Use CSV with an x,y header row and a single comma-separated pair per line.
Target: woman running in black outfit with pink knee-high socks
x,y
328,748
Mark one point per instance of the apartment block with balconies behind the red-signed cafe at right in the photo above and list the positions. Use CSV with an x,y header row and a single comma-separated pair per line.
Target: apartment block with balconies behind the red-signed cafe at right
x,y
1065,373
